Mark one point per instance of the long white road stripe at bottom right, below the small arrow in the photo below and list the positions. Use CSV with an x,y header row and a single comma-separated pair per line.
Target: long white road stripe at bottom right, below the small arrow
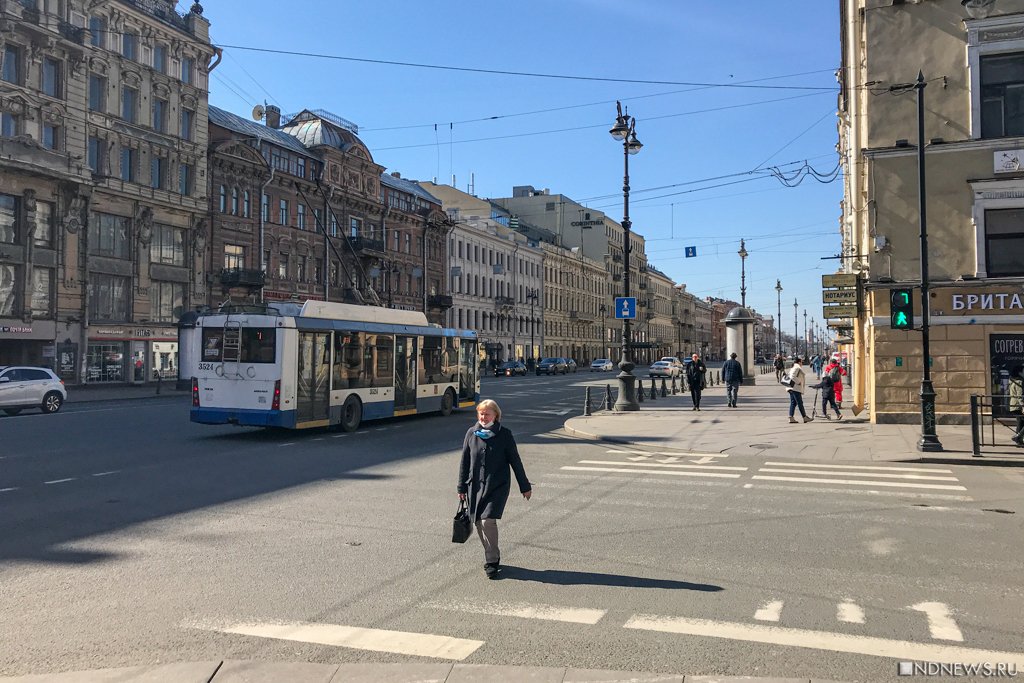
x,y
822,641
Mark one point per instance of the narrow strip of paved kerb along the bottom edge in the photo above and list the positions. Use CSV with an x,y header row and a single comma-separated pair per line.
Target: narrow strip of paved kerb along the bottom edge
x,y
265,672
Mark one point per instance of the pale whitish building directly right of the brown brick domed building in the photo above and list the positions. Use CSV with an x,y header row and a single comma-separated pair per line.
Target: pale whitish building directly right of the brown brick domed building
x,y
496,278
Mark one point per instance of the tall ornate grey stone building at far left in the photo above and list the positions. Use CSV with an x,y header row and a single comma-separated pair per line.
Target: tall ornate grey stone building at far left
x,y
103,185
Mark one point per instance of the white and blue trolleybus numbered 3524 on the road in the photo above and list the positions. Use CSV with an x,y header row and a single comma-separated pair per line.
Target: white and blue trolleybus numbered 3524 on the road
x,y
320,364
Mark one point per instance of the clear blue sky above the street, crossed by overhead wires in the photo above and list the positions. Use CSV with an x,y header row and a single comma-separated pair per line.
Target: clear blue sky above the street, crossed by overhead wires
x,y
788,231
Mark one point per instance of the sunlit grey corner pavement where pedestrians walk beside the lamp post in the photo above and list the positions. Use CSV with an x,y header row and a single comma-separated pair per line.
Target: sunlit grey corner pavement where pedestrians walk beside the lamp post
x,y
761,426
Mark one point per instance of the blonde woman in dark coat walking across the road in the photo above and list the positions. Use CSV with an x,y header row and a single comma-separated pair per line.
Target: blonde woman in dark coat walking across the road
x,y
489,452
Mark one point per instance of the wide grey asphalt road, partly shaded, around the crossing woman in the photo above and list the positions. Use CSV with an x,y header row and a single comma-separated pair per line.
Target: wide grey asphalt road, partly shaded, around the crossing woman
x,y
131,536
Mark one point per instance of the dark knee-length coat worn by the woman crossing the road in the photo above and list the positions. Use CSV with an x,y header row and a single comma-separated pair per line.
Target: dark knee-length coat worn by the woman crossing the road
x,y
485,474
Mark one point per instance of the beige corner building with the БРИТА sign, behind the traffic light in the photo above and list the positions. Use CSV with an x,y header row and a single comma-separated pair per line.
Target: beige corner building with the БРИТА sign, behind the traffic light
x,y
973,64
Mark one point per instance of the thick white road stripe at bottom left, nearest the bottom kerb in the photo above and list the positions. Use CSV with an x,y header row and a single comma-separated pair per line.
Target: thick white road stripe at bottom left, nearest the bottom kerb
x,y
377,641
